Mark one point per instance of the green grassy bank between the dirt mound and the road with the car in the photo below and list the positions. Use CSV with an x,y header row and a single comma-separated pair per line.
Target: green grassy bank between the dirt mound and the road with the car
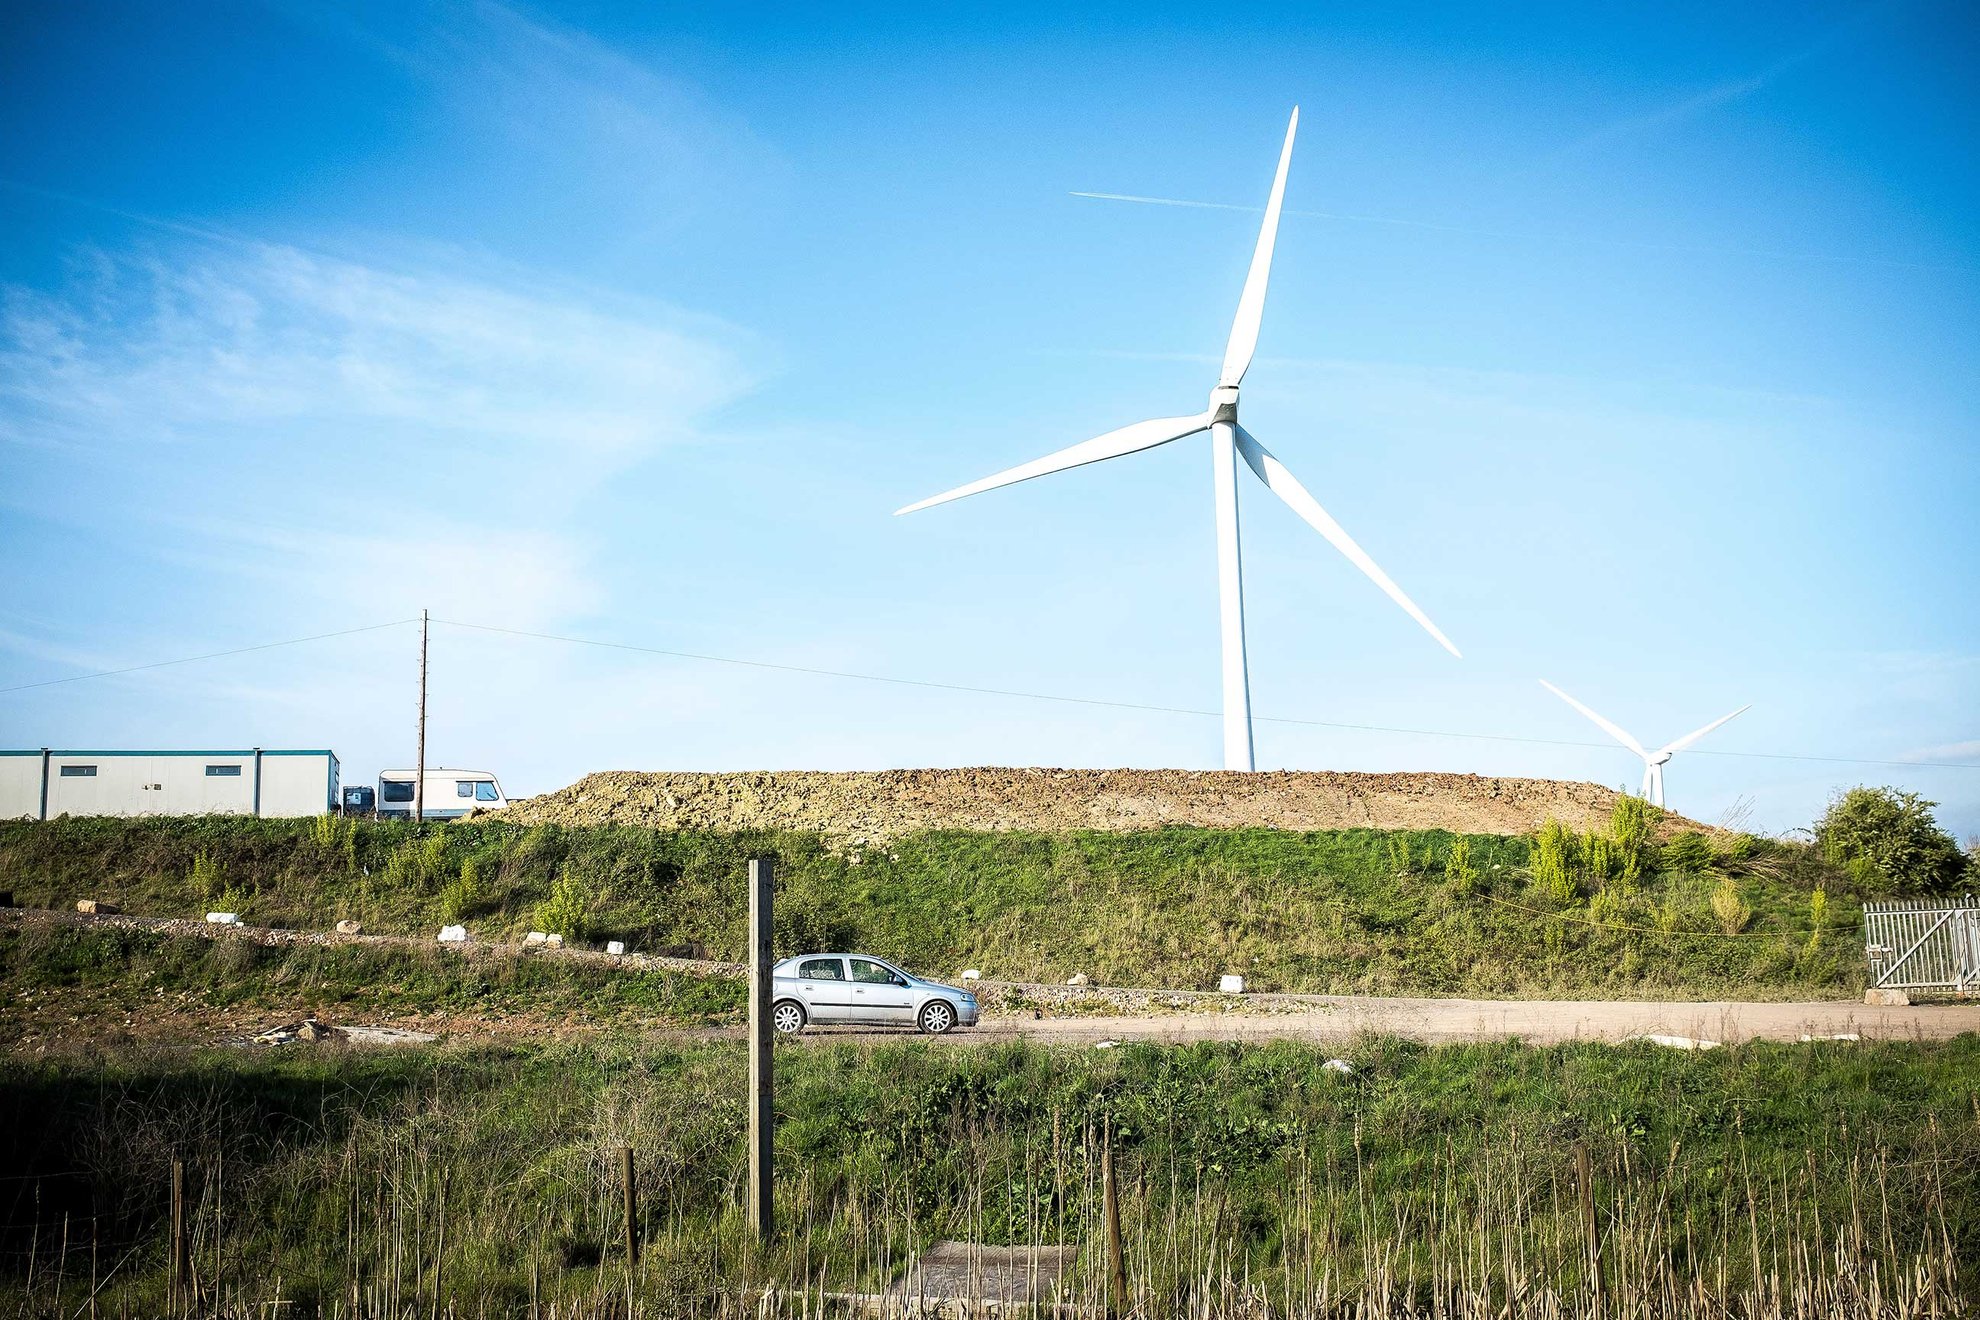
x,y
1332,911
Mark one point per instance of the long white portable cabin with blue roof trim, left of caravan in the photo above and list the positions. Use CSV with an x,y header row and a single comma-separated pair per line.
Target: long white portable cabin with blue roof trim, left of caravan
x,y
45,783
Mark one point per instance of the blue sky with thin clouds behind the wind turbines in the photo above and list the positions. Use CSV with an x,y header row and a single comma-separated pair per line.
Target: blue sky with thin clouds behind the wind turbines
x,y
1640,347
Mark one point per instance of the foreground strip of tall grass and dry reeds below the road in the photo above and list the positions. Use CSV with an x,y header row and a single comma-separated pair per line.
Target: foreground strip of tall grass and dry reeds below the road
x,y
1759,1180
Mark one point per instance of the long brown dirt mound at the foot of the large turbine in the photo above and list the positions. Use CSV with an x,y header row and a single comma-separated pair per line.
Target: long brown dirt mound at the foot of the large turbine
x,y
868,806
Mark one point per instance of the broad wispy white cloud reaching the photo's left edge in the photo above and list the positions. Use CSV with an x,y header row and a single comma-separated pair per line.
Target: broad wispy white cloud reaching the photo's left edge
x,y
272,337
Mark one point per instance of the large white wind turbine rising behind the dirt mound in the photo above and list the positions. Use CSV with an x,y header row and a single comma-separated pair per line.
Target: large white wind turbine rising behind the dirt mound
x,y
1229,442
